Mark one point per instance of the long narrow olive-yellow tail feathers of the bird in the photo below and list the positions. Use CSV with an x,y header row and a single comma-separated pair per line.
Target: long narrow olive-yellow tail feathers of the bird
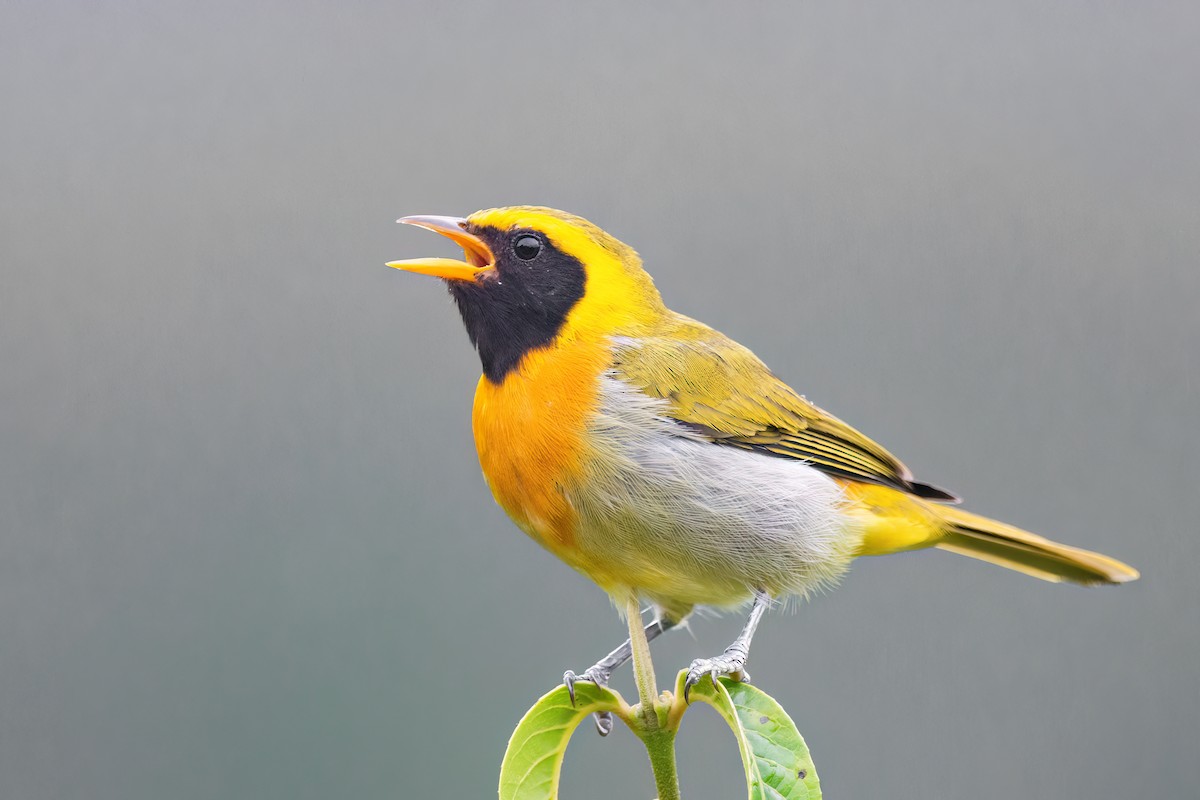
x,y
995,543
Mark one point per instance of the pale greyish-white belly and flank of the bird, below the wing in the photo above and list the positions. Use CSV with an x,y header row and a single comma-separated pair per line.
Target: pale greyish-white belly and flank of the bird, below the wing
x,y
689,522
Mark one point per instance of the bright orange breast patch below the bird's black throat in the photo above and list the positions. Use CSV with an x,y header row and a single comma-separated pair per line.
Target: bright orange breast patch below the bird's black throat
x,y
530,434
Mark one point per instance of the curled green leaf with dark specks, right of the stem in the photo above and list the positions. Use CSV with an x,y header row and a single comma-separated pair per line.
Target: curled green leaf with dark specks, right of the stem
x,y
773,753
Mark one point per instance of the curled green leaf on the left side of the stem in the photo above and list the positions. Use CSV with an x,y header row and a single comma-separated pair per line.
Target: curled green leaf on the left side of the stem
x,y
535,760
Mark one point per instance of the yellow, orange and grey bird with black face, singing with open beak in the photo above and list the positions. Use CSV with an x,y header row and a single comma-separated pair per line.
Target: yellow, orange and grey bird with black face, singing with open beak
x,y
665,461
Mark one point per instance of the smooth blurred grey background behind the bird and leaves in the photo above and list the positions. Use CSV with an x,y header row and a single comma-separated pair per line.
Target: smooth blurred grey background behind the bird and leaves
x,y
245,550
